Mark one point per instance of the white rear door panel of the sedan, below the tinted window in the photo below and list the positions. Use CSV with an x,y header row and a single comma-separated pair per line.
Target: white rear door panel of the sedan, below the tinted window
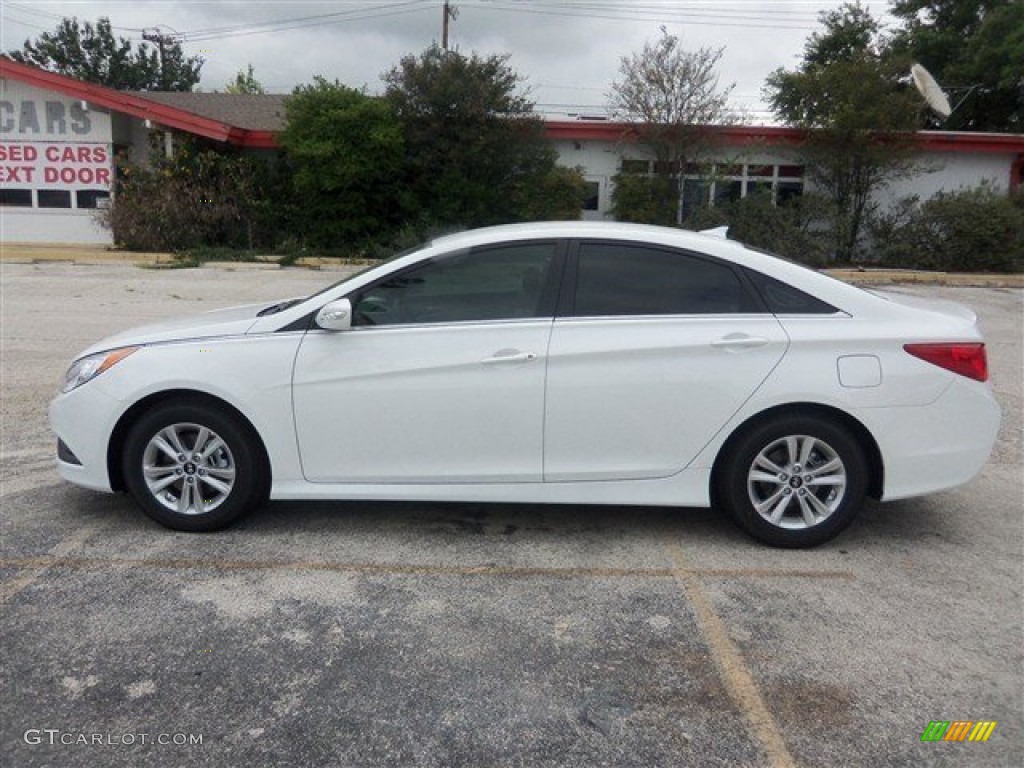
x,y
639,398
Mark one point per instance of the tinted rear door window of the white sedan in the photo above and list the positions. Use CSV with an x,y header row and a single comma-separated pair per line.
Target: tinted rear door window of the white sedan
x,y
616,279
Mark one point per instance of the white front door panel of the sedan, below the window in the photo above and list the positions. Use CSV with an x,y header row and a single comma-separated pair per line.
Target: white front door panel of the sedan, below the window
x,y
430,404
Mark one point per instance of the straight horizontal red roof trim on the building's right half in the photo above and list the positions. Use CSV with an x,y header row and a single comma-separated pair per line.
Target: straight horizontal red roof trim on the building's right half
x,y
740,136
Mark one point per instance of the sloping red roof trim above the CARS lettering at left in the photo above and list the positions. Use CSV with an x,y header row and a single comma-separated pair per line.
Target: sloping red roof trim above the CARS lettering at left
x,y
136,106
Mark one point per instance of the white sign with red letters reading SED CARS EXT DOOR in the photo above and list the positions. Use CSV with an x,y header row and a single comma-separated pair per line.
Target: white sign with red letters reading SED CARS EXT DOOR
x,y
55,165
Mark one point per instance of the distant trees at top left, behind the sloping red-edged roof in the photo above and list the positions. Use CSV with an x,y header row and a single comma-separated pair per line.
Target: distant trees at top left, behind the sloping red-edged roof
x,y
93,54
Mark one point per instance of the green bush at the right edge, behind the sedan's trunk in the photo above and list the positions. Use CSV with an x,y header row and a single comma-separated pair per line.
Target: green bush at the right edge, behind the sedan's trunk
x,y
976,230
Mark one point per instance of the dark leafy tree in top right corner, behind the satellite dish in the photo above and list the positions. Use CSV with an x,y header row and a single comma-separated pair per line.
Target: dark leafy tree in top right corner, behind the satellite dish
x,y
975,49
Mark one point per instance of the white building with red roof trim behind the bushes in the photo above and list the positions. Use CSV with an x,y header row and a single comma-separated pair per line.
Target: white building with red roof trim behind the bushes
x,y
59,138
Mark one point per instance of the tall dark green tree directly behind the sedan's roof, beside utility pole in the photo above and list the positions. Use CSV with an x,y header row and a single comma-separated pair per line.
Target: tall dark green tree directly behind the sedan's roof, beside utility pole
x,y
477,154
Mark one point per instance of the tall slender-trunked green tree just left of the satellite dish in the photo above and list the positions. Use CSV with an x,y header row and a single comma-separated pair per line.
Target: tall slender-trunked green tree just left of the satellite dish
x,y
848,96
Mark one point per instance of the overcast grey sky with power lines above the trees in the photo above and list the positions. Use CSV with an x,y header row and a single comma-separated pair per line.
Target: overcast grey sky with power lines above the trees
x,y
567,51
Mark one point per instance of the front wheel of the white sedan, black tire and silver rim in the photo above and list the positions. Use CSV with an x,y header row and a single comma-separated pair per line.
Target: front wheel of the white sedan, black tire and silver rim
x,y
193,496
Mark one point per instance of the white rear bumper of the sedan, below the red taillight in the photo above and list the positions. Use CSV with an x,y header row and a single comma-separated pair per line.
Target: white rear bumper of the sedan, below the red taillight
x,y
936,447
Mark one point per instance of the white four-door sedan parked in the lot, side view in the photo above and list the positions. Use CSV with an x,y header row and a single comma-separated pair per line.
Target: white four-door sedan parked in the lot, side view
x,y
560,363
